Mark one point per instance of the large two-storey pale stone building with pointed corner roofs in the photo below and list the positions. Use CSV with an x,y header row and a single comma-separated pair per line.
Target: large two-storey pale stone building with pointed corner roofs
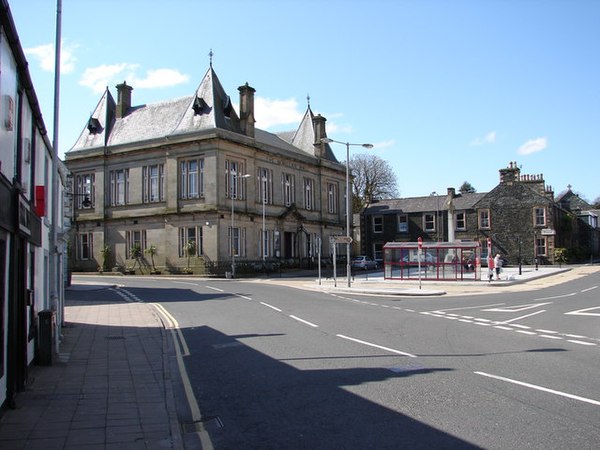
x,y
198,184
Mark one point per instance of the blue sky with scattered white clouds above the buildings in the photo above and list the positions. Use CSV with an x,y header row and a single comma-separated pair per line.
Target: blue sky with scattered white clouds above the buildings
x,y
447,90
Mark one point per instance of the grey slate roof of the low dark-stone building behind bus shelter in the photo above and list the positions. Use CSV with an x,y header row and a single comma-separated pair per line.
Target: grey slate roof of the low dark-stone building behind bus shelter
x,y
424,204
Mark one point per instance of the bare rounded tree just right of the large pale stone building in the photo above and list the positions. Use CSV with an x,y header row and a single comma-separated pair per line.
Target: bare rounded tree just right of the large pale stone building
x,y
372,178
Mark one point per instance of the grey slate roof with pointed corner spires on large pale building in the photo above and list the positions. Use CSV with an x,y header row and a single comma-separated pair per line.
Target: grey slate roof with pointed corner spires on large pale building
x,y
208,108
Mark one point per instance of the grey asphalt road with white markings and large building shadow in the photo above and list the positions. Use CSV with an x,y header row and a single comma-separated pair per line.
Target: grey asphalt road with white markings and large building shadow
x,y
276,367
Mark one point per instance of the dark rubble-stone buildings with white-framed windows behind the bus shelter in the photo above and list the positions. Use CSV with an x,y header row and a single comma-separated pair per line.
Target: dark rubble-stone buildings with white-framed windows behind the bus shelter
x,y
520,216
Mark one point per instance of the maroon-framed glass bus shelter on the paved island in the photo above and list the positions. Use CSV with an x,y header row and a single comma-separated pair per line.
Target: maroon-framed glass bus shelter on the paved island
x,y
449,261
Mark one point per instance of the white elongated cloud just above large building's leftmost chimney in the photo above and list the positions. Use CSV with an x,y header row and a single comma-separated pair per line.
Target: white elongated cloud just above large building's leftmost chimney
x,y
97,78
